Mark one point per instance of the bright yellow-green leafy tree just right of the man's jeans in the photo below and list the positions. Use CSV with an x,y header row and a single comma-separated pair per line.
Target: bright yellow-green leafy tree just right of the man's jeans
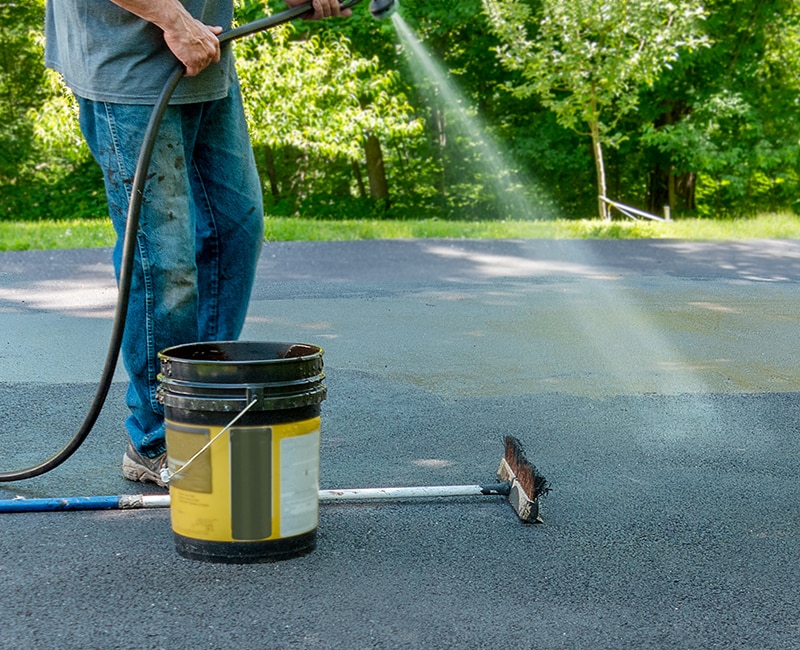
x,y
315,96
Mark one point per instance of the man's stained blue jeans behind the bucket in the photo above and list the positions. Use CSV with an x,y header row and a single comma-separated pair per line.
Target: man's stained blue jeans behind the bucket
x,y
200,234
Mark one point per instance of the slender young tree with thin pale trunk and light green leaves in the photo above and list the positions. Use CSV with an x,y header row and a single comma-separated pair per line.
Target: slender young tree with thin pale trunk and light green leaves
x,y
587,59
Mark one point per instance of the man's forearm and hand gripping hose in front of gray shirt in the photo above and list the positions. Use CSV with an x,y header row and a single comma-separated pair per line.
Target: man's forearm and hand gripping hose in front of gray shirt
x,y
191,41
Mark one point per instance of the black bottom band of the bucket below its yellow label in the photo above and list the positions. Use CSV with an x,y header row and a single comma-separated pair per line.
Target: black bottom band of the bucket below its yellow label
x,y
246,552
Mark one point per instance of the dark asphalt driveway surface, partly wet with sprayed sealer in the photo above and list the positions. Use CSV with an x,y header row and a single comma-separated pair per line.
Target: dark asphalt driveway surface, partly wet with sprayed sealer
x,y
653,383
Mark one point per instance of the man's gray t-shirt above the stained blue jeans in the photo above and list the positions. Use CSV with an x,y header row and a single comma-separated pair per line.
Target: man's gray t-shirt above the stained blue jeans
x,y
106,53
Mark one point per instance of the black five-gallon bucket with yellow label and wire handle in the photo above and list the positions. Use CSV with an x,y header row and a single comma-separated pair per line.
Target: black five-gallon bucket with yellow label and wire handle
x,y
243,432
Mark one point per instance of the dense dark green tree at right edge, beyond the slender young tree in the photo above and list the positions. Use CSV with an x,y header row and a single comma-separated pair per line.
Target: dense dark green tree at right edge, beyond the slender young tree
x,y
723,124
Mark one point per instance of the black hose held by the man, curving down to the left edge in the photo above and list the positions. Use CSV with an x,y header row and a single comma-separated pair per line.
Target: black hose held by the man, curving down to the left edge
x,y
129,244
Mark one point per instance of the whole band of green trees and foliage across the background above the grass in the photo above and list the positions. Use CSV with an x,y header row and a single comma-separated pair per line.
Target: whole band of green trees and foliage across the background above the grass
x,y
714,131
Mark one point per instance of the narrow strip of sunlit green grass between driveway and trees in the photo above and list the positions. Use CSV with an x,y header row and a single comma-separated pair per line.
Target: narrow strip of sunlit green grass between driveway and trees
x,y
94,233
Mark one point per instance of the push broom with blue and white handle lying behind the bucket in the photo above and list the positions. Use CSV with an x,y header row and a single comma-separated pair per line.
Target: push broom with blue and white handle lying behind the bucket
x,y
518,481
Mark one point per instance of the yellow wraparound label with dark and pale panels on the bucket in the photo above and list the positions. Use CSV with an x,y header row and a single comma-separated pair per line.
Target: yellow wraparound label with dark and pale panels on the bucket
x,y
254,483
